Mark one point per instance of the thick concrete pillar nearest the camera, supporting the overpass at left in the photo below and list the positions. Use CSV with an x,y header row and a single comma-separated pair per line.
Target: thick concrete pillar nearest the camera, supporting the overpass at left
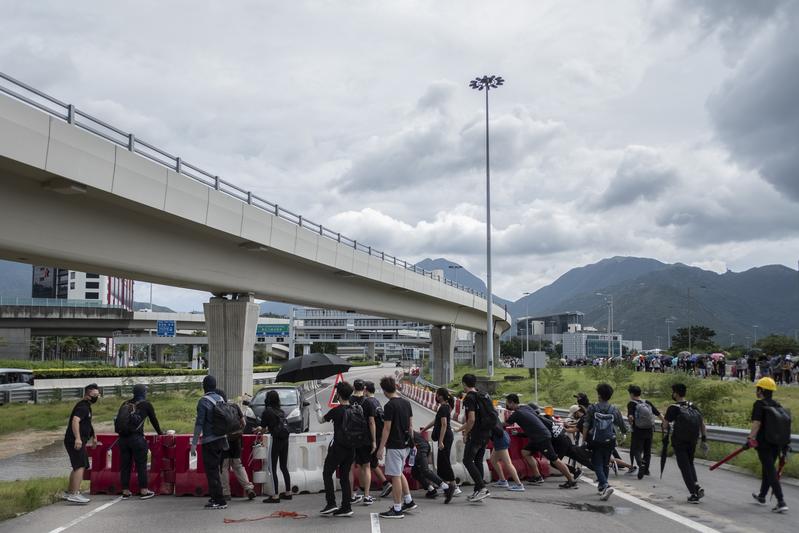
x,y
231,339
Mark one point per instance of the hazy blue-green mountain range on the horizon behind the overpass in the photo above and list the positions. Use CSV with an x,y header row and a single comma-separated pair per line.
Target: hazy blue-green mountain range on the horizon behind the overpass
x,y
645,293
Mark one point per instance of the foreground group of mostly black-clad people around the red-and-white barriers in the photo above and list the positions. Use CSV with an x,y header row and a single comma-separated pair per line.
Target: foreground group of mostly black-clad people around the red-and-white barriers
x,y
368,434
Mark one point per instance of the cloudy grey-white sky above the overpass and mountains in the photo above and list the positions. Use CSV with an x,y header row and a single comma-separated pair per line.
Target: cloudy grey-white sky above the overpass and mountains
x,y
663,128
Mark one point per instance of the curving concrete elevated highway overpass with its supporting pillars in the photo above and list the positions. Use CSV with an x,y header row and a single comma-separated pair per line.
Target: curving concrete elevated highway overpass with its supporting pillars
x,y
82,194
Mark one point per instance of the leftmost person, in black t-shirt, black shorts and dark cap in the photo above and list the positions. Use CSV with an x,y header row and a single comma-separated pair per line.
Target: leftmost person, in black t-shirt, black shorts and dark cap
x,y
79,435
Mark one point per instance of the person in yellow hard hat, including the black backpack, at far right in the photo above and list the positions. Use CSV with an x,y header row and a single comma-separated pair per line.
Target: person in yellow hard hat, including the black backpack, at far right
x,y
771,436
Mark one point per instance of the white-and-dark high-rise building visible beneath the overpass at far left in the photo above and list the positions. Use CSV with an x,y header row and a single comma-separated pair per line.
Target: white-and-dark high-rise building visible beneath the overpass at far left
x,y
60,283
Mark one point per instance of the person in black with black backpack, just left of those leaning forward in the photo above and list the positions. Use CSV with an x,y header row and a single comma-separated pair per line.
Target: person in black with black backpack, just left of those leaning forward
x,y
481,419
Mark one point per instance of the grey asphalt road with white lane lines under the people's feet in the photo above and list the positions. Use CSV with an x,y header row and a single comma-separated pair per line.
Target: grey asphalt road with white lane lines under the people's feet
x,y
651,505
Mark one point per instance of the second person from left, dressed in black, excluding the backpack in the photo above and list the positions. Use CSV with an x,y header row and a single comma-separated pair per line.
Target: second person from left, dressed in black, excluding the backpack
x,y
134,446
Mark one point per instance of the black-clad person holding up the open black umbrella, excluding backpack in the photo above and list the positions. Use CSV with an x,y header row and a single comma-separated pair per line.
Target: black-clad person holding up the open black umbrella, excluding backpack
x,y
339,457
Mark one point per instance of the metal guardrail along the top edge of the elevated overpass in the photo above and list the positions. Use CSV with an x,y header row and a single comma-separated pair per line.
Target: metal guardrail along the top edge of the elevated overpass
x,y
74,116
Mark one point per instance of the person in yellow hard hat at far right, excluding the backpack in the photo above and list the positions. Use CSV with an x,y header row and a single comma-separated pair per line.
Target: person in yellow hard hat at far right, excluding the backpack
x,y
768,453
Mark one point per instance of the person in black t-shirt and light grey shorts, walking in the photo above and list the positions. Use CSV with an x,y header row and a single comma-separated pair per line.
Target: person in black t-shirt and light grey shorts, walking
x,y
395,446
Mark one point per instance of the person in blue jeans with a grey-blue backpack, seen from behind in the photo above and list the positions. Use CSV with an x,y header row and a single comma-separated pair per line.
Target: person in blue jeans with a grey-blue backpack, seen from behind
x,y
599,432
